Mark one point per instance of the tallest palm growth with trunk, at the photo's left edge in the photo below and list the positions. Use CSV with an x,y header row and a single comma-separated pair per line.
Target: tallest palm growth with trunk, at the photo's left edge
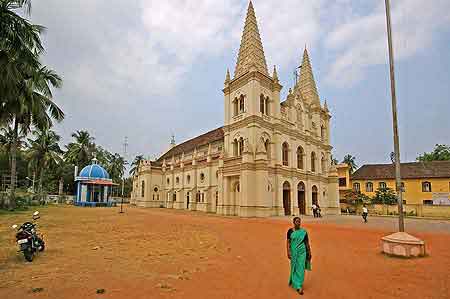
x,y
26,98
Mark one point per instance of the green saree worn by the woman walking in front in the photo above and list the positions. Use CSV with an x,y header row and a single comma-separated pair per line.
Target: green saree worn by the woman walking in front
x,y
299,261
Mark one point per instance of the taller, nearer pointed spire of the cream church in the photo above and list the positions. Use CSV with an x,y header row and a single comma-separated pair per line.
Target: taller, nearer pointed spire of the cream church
x,y
251,52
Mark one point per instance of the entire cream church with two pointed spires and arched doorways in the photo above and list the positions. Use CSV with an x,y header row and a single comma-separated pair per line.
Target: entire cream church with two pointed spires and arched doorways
x,y
270,157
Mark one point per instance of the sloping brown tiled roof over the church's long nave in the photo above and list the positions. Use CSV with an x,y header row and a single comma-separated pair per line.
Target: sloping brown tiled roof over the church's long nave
x,y
191,144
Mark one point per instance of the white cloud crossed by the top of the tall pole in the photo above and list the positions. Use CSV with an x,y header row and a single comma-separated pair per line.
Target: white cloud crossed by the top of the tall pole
x,y
362,41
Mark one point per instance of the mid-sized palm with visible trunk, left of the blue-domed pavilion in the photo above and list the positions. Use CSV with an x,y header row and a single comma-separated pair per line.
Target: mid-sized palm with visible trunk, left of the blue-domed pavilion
x,y
44,152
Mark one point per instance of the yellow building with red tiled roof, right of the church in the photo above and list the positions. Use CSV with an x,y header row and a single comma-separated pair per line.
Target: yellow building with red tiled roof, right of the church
x,y
422,182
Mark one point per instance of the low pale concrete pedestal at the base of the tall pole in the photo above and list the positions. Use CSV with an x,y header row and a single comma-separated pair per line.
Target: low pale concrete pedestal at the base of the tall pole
x,y
403,245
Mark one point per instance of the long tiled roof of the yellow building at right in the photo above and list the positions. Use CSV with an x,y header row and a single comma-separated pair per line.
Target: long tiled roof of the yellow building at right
x,y
414,170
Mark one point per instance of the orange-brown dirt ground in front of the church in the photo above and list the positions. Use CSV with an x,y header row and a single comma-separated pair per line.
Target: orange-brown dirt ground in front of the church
x,y
156,253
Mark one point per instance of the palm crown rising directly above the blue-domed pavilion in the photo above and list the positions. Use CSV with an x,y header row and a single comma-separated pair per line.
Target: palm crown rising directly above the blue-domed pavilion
x,y
81,151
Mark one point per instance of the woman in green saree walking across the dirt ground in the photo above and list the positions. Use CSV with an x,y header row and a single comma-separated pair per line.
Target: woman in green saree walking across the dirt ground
x,y
299,252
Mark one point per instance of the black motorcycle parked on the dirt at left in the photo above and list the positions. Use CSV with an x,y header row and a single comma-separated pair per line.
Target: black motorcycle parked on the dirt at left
x,y
28,240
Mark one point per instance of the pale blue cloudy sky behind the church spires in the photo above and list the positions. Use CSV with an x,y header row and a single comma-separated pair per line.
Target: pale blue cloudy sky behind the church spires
x,y
147,69
